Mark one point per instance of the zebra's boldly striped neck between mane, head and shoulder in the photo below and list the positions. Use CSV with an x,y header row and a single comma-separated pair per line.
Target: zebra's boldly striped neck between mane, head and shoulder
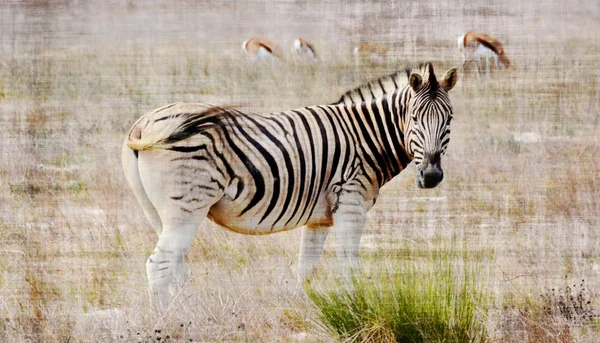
x,y
379,124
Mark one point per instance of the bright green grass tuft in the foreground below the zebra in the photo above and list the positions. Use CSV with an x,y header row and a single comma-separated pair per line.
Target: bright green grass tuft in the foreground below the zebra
x,y
405,303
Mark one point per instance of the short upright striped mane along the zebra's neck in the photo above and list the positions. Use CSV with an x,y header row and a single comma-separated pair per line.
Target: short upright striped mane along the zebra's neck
x,y
385,85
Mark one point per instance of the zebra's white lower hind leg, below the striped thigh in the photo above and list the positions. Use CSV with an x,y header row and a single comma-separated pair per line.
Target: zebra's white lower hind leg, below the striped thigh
x,y
166,267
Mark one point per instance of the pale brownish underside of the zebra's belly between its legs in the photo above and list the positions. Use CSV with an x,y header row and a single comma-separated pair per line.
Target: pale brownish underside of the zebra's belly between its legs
x,y
228,214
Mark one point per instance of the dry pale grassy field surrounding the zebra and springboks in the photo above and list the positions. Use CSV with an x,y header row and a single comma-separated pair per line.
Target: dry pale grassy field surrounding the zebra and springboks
x,y
520,199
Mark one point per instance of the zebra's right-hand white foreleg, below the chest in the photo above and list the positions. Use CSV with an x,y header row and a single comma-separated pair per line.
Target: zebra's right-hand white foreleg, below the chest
x,y
348,223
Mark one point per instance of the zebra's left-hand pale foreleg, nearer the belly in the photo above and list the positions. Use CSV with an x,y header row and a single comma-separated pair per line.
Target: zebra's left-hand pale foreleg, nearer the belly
x,y
313,238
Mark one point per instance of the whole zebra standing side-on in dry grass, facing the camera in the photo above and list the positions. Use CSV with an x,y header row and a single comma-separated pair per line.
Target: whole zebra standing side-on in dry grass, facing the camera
x,y
318,167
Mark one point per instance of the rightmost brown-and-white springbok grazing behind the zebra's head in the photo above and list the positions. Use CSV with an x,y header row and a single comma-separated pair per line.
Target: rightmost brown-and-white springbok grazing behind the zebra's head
x,y
483,51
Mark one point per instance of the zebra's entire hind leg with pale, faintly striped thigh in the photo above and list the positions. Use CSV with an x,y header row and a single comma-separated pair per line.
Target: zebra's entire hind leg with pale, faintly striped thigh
x,y
182,188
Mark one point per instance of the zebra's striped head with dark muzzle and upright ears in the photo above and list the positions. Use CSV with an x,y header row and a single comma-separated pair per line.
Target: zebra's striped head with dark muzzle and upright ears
x,y
429,113
